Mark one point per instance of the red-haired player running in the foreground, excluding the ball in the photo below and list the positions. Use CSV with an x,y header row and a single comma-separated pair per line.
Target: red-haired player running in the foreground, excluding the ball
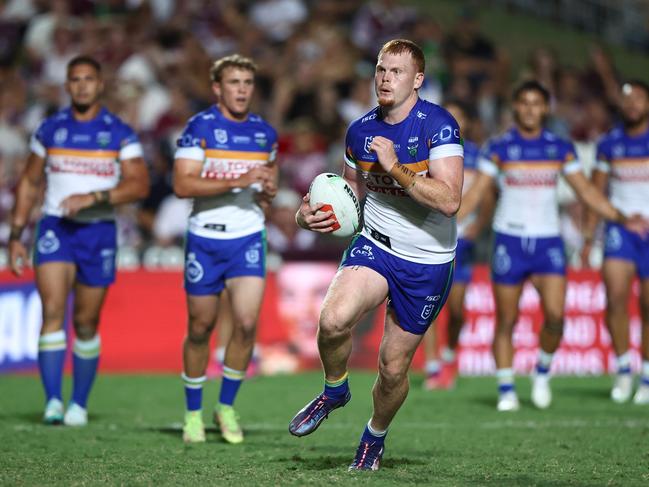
x,y
407,154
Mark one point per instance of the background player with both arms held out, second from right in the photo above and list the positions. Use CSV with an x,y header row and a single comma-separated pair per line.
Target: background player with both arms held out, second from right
x,y
527,161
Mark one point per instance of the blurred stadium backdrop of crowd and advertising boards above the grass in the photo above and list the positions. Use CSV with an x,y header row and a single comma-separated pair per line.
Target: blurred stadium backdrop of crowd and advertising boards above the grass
x,y
316,62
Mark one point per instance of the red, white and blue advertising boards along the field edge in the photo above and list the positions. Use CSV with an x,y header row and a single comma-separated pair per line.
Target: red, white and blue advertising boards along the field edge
x,y
144,321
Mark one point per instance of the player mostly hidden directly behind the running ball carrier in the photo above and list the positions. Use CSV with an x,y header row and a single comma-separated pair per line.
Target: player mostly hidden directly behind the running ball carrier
x,y
440,374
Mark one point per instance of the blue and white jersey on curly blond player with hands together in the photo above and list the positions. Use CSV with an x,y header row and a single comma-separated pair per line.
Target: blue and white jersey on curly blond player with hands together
x,y
227,149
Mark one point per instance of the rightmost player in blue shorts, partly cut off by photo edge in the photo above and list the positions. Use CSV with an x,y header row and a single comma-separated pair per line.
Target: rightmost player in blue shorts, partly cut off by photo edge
x,y
623,168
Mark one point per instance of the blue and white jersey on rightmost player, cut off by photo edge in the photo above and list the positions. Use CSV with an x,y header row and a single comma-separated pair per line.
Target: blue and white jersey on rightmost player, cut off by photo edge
x,y
626,160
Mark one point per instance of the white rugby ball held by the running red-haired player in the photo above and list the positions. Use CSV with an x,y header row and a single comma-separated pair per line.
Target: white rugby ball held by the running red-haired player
x,y
339,197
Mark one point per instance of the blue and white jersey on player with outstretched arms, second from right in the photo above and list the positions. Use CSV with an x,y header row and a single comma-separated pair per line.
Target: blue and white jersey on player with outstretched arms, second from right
x,y
527,172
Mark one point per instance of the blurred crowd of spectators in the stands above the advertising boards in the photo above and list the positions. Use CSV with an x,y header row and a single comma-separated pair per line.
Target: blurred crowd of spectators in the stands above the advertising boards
x,y
316,62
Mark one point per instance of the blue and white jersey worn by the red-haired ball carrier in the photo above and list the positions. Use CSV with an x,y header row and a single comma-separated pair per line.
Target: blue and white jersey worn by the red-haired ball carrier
x,y
393,220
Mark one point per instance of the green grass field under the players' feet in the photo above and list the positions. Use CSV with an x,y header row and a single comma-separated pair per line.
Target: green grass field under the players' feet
x,y
445,438
